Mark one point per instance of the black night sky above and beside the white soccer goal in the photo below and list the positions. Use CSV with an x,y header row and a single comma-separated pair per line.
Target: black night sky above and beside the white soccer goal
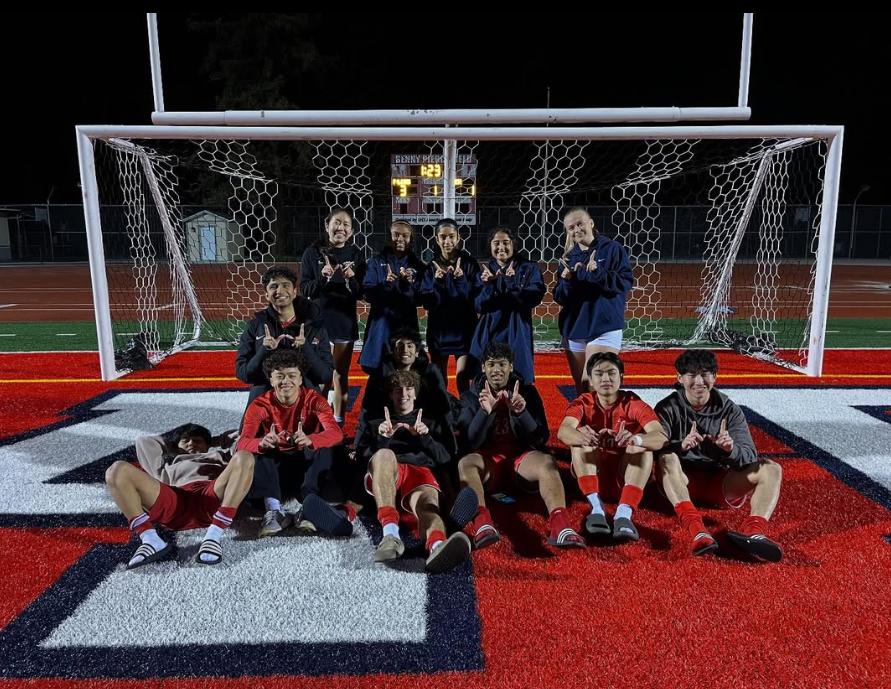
x,y
60,70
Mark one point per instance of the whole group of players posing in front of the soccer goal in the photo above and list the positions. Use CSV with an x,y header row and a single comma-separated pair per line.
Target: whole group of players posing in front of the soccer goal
x,y
421,446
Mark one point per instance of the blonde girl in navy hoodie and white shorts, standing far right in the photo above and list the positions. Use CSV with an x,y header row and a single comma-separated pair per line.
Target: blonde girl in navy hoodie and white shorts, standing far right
x,y
592,287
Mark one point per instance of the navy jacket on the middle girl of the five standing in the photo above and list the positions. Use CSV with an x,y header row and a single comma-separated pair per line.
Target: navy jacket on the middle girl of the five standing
x,y
451,311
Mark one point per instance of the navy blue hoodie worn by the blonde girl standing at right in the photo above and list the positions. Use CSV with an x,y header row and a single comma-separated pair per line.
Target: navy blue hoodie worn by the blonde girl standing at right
x,y
594,302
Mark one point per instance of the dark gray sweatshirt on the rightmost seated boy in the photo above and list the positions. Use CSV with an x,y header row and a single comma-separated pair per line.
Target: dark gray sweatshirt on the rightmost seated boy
x,y
677,416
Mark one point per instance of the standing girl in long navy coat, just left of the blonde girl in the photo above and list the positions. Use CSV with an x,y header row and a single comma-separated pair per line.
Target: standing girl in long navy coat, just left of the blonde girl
x,y
509,288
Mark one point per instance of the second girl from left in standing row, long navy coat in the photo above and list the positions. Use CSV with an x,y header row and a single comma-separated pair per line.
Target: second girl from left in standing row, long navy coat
x,y
393,288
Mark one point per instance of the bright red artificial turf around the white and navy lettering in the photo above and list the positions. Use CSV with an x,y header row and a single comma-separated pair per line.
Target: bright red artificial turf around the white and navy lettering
x,y
638,615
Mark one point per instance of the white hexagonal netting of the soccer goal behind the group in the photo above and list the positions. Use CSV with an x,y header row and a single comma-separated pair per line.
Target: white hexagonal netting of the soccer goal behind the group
x,y
722,235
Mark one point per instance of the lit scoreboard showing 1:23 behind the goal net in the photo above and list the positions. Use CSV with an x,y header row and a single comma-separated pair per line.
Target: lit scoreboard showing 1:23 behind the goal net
x,y
417,188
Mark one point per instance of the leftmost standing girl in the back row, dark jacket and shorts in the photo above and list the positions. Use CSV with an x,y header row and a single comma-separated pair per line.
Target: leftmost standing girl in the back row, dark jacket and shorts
x,y
331,274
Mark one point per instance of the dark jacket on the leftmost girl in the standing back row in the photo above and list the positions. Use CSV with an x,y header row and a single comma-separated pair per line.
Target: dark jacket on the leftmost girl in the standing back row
x,y
336,296
